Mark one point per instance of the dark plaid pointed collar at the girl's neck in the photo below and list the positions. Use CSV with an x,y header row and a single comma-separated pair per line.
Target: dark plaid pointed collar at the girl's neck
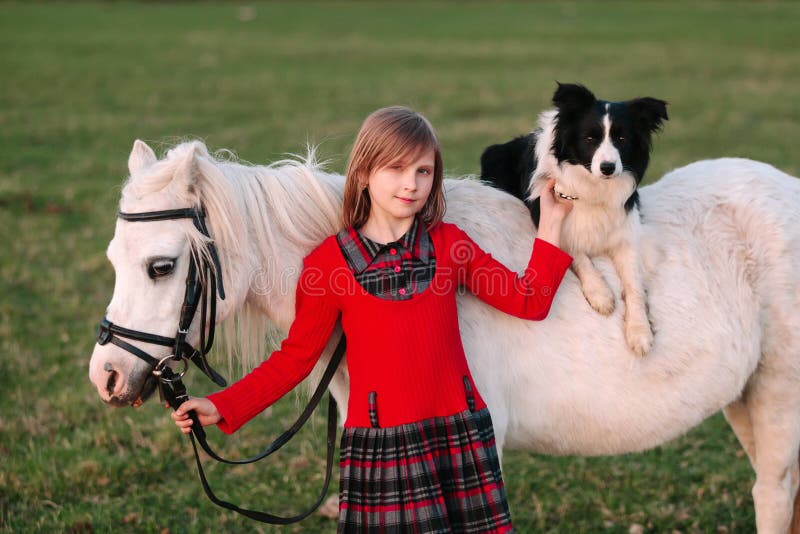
x,y
360,251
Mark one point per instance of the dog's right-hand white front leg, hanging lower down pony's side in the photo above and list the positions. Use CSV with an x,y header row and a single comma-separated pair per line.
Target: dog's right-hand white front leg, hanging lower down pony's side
x,y
637,326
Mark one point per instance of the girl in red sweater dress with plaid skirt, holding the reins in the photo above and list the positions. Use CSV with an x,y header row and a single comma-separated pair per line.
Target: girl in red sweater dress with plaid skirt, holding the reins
x,y
417,451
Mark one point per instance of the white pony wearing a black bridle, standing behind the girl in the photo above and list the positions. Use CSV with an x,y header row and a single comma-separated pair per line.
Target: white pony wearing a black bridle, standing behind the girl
x,y
721,262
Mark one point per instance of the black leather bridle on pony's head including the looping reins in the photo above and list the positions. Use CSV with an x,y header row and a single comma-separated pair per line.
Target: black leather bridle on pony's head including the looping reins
x,y
170,384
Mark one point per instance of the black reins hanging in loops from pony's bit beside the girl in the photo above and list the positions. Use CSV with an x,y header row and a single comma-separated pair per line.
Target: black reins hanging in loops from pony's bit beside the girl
x,y
174,392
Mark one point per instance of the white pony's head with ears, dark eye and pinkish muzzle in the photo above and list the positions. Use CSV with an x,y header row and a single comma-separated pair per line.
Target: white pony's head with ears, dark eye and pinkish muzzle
x,y
151,260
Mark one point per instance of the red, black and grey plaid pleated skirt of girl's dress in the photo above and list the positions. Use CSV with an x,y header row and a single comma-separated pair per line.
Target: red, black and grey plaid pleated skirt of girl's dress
x,y
437,475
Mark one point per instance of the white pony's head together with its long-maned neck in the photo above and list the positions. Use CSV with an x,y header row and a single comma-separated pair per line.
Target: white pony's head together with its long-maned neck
x,y
262,219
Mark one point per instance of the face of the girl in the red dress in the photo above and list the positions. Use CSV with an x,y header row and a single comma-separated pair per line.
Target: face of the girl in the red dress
x,y
399,190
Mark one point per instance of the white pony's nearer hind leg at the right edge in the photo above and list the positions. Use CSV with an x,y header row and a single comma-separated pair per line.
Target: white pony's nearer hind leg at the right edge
x,y
774,406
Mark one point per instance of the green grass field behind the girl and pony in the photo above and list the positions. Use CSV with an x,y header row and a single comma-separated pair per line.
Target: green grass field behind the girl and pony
x,y
81,81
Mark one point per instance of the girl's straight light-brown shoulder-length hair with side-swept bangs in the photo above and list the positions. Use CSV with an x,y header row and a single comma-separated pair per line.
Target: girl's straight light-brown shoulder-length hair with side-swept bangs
x,y
388,135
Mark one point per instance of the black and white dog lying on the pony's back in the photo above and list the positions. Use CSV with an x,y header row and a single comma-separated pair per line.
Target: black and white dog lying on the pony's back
x,y
598,152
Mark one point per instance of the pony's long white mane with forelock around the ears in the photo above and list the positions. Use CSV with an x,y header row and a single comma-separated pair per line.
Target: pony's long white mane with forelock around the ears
x,y
250,209
